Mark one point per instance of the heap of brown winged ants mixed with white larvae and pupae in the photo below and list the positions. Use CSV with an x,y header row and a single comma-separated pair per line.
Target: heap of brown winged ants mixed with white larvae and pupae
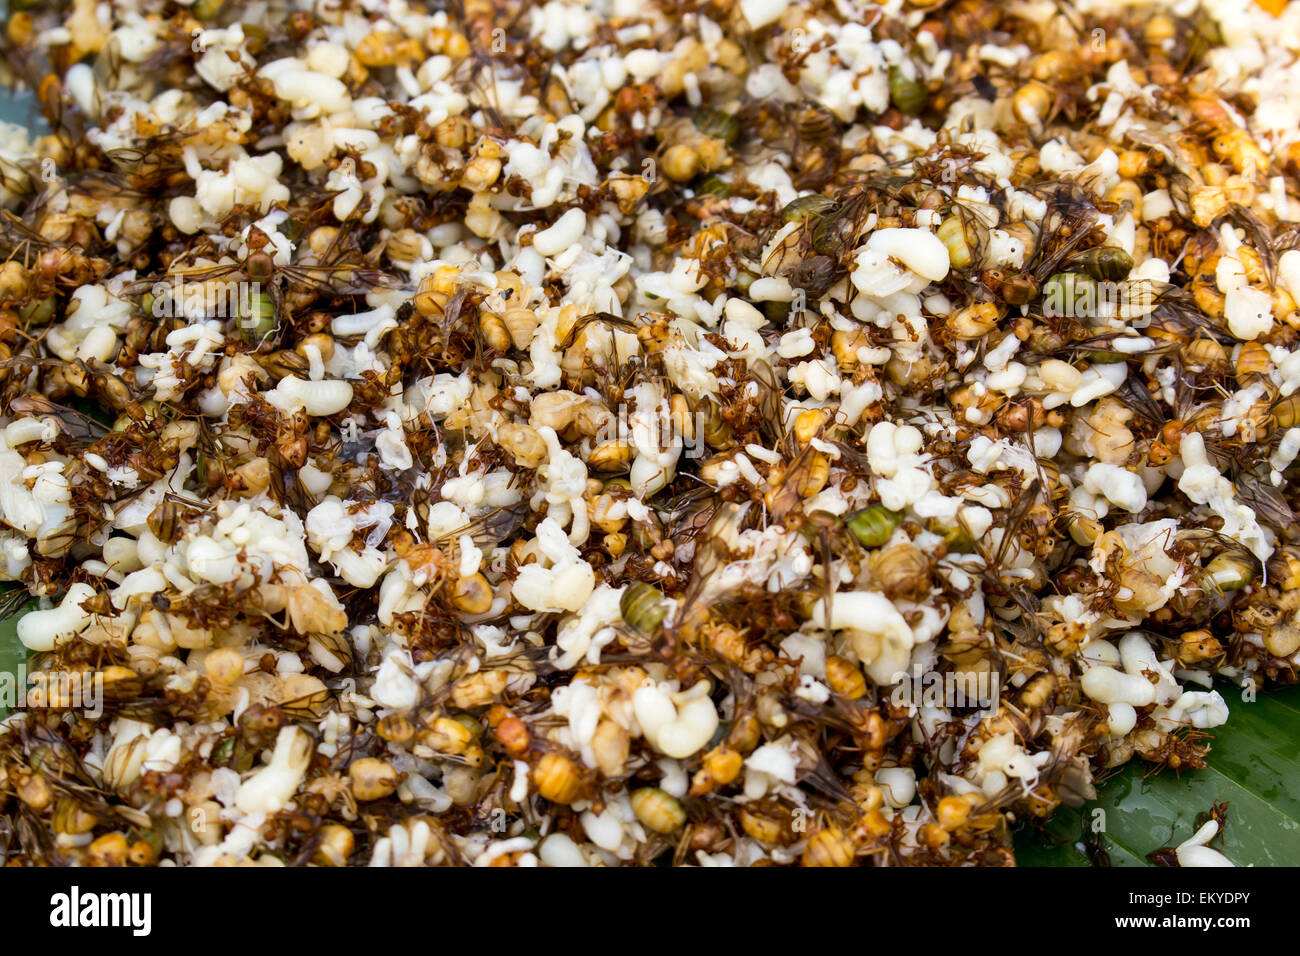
x,y
721,434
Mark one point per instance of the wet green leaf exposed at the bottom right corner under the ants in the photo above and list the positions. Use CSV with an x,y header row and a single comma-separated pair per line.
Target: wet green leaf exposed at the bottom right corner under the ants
x,y
1254,767
